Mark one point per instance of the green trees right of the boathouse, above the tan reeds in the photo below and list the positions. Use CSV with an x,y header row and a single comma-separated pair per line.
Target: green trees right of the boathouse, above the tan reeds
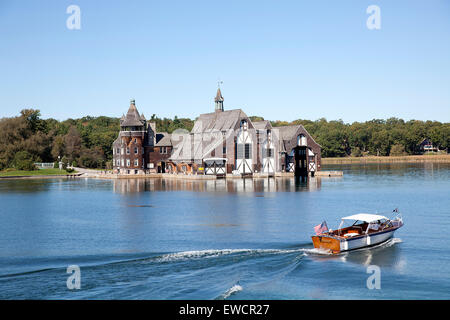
x,y
378,137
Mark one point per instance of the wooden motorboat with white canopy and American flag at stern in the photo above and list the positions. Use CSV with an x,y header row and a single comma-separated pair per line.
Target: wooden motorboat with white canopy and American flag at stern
x,y
367,230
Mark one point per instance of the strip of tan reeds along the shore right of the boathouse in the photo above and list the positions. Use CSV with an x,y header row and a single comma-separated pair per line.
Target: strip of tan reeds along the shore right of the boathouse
x,y
389,159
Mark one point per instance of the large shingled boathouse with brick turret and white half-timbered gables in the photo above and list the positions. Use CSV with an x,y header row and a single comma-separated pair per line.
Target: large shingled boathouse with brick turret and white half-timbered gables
x,y
221,142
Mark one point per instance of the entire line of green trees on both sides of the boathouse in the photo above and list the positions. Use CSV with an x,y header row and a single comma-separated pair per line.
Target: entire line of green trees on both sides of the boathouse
x,y
87,141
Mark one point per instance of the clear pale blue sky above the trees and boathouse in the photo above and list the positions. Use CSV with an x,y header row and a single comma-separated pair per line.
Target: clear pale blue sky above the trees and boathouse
x,y
282,60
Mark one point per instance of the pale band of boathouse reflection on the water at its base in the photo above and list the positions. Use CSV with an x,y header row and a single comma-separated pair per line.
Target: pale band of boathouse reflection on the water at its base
x,y
222,185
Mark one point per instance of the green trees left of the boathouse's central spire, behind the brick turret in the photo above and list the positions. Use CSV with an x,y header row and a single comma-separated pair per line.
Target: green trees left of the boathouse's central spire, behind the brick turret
x,y
84,142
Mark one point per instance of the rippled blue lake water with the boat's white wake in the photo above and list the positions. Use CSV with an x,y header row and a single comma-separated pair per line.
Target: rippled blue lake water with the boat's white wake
x,y
235,239
